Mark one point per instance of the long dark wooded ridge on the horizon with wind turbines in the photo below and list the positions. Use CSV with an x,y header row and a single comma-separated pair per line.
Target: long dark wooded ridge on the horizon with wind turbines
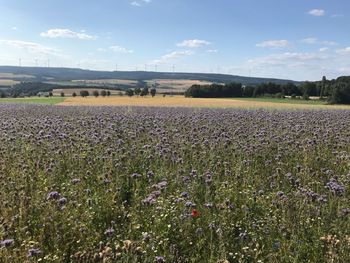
x,y
40,74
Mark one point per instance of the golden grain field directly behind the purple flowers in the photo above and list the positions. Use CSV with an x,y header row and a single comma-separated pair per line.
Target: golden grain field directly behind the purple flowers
x,y
180,101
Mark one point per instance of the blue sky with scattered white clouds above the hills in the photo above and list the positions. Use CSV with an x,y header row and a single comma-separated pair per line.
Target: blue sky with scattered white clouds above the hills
x,y
290,39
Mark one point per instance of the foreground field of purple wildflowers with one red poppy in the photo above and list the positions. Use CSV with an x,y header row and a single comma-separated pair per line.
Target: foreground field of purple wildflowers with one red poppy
x,y
81,184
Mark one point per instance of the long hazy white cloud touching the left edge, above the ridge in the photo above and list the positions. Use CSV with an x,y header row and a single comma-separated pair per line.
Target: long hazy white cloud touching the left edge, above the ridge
x,y
30,47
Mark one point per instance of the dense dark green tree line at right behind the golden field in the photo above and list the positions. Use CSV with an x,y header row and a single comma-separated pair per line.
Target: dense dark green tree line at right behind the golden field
x,y
334,91
